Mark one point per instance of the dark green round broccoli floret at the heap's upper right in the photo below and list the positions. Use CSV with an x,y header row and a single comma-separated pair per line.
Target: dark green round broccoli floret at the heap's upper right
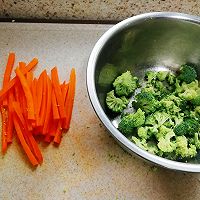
x,y
187,74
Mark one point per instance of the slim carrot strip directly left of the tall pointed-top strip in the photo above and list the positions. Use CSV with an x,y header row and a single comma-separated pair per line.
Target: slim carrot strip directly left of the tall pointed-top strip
x,y
48,106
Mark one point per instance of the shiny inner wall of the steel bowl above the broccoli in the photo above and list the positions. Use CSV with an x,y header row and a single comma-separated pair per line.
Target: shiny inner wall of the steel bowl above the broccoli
x,y
157,44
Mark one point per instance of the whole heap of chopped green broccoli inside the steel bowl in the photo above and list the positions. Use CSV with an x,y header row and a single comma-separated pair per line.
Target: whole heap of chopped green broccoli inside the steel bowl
x,y
165,112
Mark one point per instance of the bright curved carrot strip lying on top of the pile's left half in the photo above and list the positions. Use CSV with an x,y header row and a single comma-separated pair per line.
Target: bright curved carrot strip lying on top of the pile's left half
x,y
28,94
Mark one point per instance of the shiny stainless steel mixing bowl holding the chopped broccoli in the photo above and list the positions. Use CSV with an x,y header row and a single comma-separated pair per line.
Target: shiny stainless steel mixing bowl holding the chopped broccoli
x,y
152,40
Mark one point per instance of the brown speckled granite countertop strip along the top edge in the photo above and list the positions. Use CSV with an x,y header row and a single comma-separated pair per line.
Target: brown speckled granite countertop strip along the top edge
x,y
92,10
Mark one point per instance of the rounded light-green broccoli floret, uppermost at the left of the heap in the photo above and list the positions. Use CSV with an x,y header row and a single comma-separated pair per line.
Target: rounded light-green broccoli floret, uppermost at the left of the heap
x,y
125,84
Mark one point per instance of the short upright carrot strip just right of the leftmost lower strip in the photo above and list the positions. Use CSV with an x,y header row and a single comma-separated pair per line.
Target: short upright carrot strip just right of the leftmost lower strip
x,y
10,117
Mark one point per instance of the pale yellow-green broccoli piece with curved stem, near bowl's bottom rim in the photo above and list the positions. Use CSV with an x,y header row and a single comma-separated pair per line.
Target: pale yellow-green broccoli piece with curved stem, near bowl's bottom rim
x,y
165,144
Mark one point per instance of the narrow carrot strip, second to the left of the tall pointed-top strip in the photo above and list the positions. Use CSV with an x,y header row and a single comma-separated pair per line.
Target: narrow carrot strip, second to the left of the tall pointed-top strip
x,y
44,100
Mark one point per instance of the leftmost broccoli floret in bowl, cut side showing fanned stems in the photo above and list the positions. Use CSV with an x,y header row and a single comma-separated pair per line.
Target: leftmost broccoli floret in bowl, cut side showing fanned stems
x,y
114,103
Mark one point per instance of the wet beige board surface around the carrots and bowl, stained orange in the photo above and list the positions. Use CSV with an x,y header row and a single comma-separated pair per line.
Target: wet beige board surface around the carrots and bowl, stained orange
x,y
88,164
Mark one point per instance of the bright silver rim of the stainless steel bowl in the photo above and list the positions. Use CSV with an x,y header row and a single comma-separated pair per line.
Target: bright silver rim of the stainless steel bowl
x,y
90,80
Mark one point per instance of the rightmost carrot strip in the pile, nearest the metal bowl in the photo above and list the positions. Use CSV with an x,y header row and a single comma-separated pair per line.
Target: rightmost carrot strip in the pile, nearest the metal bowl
x,y
70,98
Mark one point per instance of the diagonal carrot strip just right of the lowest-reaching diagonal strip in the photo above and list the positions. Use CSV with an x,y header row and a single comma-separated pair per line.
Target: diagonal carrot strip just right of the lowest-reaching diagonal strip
x,y
28,135
